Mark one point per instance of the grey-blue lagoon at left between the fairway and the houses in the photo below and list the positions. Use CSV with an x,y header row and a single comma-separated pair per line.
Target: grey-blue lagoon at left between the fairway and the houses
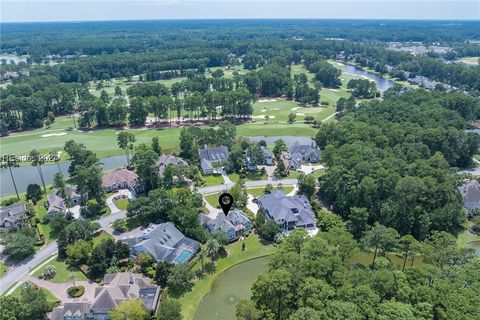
x,y
26,175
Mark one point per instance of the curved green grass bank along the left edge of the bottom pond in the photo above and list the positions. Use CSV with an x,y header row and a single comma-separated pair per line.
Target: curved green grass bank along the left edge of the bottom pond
x,y
254,249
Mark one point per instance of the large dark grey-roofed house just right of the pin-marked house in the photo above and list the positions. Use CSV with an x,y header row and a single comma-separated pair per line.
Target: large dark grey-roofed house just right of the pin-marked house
x,y
288,212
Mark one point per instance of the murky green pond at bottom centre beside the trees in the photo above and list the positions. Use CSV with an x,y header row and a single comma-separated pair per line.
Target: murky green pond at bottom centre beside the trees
x,y
231,286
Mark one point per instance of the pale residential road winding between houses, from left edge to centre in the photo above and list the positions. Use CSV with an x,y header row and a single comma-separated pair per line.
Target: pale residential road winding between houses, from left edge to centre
x,y
16,273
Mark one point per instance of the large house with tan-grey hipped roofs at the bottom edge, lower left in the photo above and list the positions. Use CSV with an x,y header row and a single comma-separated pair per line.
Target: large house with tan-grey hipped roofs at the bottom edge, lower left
x,y
117,288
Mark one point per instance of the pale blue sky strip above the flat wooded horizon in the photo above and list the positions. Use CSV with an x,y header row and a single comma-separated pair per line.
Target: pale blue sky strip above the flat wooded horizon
x,y
85,10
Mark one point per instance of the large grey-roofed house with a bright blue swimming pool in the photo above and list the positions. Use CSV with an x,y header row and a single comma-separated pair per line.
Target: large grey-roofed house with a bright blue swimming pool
x,y
164,242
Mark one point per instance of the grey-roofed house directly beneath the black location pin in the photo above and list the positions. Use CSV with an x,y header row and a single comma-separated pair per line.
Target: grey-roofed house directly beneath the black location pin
x,y
234,224
